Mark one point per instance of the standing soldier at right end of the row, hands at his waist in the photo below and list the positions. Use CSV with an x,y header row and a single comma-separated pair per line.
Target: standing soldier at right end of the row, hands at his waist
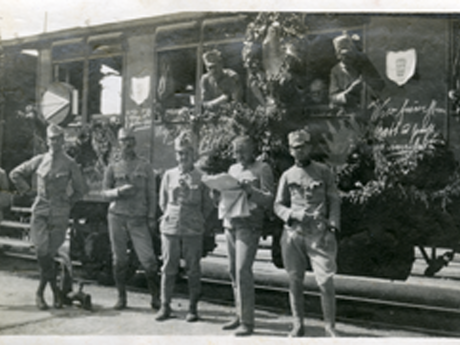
x,y
308,202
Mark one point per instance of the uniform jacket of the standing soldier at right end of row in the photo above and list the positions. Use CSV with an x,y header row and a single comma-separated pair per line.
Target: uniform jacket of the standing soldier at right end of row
x,y
312,189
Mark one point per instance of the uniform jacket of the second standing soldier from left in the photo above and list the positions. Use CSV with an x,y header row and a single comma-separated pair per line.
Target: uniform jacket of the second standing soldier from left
x,y
136,172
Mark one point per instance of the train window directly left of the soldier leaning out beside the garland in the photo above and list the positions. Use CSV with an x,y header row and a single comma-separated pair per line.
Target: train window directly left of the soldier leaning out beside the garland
x,y
176,83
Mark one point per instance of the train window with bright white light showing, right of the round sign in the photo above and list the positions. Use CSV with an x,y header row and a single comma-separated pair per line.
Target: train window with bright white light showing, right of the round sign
x,y
105,86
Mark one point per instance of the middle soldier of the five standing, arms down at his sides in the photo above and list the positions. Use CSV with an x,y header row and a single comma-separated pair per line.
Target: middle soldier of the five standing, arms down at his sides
x,y
185,203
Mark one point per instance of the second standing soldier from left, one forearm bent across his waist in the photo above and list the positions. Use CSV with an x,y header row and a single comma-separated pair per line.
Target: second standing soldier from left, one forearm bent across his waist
x,y
129,183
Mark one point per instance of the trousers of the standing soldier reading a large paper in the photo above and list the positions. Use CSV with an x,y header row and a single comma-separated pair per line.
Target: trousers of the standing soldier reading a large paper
x,y
242,244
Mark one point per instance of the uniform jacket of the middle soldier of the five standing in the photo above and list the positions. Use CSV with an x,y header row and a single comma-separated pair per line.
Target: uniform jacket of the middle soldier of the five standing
x,y
185,202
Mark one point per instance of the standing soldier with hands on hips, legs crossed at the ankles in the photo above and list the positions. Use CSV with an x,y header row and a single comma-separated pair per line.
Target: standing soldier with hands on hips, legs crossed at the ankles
x,y
50,212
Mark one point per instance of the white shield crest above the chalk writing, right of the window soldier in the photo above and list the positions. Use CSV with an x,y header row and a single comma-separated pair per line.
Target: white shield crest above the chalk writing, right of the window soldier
x,y
401,65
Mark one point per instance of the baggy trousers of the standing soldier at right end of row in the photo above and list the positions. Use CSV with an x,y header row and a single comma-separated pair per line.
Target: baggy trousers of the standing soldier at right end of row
x,y
320,247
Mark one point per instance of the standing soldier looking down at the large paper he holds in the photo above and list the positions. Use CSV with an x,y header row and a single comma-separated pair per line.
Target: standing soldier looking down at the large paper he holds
x,y
243,232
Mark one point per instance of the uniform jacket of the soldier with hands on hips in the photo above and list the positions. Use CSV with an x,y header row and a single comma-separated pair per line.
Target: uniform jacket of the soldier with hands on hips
x,y
55,174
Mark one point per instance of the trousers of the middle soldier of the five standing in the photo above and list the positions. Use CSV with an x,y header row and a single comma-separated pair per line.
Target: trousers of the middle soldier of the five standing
x,y
175,247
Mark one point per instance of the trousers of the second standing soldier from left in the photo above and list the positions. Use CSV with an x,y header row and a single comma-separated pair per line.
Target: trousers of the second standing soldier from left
x,y
121,229
